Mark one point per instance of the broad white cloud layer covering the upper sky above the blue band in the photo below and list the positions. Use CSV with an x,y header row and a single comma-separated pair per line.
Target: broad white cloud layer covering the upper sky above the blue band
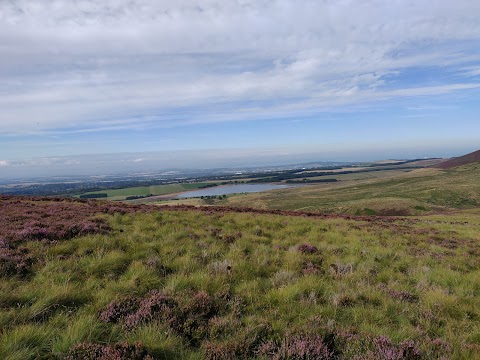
x,y
88,65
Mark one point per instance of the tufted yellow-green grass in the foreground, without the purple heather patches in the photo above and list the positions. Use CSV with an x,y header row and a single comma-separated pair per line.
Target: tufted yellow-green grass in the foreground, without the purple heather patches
x,y
403,279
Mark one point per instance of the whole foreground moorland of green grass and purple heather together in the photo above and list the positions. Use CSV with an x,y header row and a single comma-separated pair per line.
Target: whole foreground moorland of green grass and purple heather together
x,y
110,281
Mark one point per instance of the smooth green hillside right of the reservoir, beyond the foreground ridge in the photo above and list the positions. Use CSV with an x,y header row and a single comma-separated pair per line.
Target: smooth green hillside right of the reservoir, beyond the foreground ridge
x,y
409,193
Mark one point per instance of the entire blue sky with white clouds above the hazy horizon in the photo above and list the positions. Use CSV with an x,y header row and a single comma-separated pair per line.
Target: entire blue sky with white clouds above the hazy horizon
x,y
208,83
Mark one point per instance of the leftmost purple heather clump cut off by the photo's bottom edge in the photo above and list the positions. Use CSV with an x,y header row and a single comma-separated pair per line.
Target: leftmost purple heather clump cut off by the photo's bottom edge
x,y
117,351
